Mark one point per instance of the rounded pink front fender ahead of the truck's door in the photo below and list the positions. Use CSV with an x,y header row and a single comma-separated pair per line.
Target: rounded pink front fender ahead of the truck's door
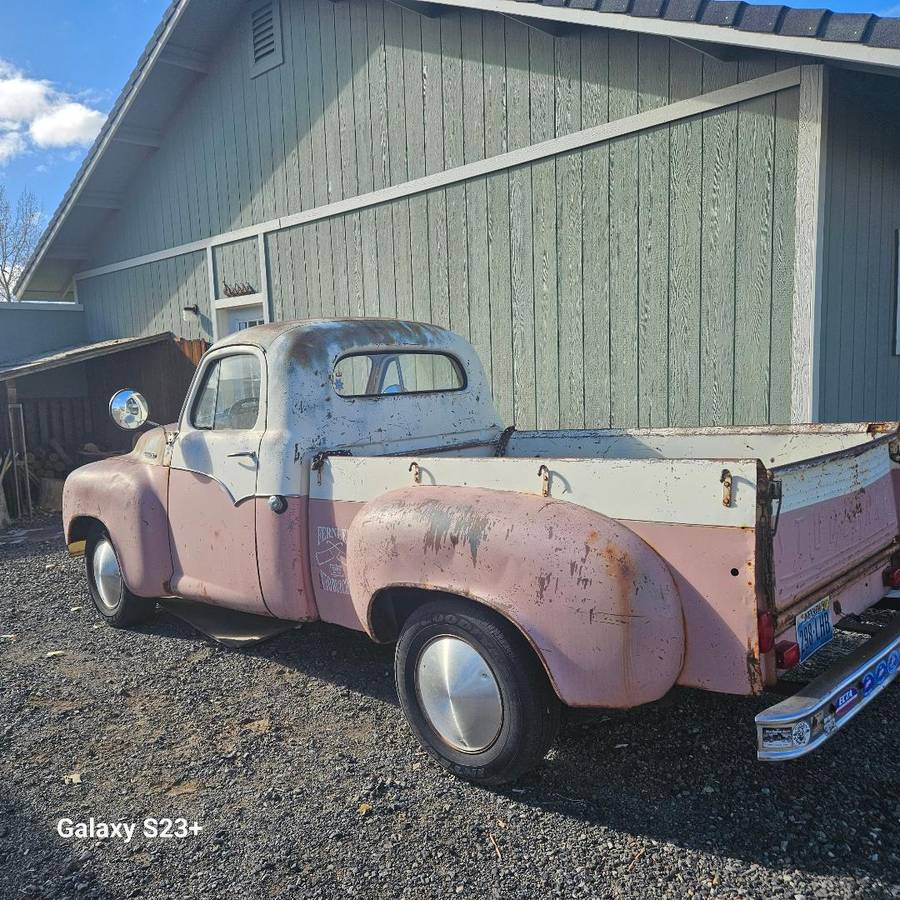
x,y
128,497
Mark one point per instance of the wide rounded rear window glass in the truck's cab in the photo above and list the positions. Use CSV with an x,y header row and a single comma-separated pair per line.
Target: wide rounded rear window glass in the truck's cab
x,y
390,372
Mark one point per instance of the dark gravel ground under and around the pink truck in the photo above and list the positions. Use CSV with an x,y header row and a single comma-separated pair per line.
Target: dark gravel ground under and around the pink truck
x,y
295,760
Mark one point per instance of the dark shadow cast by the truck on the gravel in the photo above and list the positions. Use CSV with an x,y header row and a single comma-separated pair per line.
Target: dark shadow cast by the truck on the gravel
x,y
681,771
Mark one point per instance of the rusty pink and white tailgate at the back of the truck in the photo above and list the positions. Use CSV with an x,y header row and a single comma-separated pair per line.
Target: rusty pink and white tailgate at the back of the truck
x,y
835,512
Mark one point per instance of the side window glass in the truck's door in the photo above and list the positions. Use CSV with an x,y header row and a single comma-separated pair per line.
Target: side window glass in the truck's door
x,y
229,398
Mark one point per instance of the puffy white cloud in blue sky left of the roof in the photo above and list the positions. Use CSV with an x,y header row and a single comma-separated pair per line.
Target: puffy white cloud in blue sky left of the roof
x,y
34,114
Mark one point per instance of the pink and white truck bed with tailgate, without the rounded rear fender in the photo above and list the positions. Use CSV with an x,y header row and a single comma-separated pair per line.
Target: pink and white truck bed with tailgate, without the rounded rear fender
x,y
807,506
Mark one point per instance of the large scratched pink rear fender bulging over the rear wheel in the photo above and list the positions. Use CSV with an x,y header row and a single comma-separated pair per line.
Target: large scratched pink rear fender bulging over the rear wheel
x,y
598,604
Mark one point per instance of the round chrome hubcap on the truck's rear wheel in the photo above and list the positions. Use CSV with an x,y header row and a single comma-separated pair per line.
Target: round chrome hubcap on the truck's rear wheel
x,y
459,694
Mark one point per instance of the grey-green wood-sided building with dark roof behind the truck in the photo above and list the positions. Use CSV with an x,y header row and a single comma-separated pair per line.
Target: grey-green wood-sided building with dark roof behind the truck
x,y
641,212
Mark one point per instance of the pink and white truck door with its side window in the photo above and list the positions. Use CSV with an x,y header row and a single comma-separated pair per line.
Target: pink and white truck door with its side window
x,y
212,486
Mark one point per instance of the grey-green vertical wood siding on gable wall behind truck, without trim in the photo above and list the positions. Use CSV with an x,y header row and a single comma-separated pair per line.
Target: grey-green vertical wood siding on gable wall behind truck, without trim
x,y
645,281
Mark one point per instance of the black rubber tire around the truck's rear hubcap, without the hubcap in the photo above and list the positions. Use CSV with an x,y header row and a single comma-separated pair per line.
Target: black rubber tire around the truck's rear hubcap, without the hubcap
x,y
530,708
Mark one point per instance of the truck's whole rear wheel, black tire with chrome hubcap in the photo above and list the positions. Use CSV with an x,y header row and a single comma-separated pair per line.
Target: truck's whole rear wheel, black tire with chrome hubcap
x,y
473,692
